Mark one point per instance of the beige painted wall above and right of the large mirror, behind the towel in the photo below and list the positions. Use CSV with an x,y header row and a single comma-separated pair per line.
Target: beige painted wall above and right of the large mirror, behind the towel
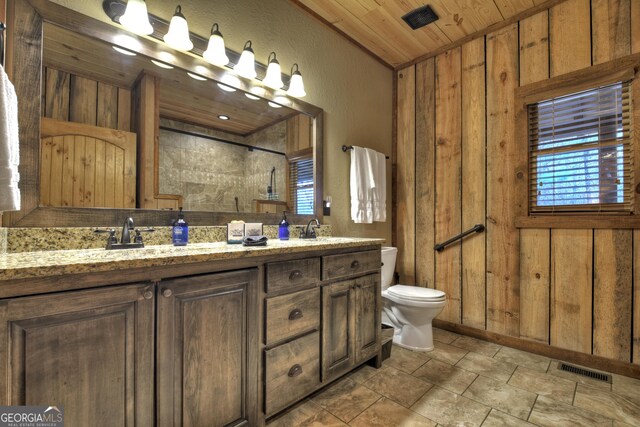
x,y
355,91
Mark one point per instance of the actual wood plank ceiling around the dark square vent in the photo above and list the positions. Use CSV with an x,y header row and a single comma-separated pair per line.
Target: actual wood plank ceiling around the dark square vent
x,y
377,25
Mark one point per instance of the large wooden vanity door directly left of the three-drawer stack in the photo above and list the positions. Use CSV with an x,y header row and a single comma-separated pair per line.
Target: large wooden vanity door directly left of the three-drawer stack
x,y
207,364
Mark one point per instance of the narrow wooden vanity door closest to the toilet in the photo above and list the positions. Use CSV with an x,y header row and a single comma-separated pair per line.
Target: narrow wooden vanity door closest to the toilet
x,y
367,317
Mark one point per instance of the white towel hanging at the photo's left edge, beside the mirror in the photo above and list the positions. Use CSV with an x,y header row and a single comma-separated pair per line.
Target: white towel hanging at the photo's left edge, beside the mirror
x,y
9,146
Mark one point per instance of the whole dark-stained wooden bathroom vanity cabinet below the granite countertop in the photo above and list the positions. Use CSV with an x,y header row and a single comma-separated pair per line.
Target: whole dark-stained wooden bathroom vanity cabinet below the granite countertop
x,y
212,342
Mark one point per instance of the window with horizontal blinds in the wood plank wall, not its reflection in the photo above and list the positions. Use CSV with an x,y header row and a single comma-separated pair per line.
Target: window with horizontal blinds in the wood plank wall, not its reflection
x,y
580,156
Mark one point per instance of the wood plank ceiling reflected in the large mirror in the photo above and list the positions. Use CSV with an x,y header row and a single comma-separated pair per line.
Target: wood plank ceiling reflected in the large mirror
x,y
181,97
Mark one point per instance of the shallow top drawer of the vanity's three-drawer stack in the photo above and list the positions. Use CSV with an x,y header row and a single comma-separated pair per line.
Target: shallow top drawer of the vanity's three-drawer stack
x,y
289,276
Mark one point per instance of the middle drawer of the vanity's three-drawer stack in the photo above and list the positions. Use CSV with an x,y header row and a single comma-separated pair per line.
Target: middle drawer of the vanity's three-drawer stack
x,y
291,314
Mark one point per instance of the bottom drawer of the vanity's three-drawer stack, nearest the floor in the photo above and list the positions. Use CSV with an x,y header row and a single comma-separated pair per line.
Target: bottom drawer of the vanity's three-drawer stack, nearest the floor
x,y
291,371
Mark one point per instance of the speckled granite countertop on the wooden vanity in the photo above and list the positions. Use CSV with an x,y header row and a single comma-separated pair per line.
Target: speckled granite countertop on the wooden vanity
x,y
24,265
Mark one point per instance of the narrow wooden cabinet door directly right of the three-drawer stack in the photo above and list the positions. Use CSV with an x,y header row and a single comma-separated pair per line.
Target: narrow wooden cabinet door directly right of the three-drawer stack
x,y
338,323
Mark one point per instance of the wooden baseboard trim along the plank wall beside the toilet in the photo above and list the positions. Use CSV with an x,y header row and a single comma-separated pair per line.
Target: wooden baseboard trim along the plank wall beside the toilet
x,y
589,360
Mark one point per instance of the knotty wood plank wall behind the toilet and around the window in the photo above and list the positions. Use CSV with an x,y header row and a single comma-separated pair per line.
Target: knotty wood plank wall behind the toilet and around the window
x,y
576,289
